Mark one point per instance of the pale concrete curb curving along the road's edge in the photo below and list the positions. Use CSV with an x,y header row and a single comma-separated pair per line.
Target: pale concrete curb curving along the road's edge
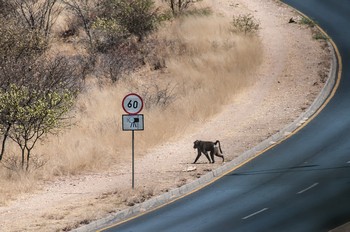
x,y
210,176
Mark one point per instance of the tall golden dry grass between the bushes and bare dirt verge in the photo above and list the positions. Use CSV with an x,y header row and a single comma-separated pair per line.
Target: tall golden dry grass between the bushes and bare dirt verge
x,y
206,66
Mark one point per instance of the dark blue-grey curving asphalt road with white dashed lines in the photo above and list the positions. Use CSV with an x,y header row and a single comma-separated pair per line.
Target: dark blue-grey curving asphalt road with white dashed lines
x,y
303,184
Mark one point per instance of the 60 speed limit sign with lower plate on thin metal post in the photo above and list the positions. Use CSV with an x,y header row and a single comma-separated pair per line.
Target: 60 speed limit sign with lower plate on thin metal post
x,y
132,104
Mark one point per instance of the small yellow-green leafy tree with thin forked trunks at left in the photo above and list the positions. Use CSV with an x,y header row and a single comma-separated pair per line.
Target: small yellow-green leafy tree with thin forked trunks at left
x,y
32,114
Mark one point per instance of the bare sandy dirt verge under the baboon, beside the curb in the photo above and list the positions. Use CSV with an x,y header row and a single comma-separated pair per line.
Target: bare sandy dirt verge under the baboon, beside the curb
x,y
288,81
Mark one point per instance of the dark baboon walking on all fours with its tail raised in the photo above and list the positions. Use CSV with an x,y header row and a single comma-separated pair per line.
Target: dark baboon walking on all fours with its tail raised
x,y
205,146
